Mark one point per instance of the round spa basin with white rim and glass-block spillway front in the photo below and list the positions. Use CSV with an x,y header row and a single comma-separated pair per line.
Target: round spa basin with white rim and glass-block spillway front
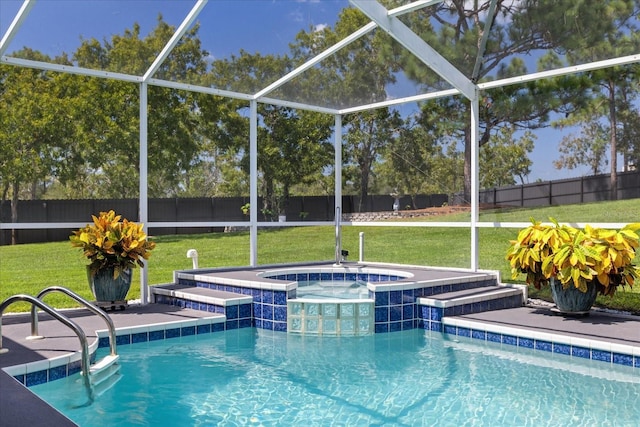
x,y
333,300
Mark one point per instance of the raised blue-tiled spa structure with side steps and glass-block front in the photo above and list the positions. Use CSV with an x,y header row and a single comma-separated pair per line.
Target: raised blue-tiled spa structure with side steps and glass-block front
x,y
265,297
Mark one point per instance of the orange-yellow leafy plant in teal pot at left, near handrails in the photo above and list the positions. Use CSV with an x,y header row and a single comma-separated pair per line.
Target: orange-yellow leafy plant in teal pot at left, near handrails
x,y
113,246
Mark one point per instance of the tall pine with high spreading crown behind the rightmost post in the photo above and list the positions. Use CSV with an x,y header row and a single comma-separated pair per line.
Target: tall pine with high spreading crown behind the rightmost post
x,y
521,28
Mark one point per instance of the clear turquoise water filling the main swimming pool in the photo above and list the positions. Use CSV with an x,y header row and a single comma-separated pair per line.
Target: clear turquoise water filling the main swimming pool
x,y
411,378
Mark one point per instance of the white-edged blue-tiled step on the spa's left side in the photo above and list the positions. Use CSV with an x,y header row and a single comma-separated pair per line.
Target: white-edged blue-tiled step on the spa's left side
x,y
237,308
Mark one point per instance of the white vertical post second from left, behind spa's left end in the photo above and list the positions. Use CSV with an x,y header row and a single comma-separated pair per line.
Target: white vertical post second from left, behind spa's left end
x,y
253,183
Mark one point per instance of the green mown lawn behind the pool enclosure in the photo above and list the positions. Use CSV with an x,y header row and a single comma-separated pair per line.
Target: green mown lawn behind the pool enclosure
x,y
30,268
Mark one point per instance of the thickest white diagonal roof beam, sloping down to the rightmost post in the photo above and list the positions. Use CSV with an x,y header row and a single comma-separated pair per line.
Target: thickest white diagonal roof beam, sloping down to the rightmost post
x,y
410,40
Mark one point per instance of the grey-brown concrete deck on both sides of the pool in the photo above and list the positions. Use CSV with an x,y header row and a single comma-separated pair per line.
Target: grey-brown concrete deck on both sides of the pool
x,y
20,407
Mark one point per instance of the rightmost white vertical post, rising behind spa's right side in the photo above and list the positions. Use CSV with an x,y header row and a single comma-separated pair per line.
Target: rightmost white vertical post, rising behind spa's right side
x,y
475,138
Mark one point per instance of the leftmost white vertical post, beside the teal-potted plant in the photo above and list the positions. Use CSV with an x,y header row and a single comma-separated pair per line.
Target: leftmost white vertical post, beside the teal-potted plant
x,y
143,202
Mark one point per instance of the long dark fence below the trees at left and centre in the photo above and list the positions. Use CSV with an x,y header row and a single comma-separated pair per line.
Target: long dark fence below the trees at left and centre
x,y
188,209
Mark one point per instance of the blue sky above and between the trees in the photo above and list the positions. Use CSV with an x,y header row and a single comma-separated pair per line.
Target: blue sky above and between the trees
x,y
264,26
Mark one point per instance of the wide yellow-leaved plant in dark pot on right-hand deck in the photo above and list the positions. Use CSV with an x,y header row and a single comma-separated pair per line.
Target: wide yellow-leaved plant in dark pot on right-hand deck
x,y
578,264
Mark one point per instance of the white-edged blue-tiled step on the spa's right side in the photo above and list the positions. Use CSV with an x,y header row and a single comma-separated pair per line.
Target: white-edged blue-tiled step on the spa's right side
x,y
497,297
